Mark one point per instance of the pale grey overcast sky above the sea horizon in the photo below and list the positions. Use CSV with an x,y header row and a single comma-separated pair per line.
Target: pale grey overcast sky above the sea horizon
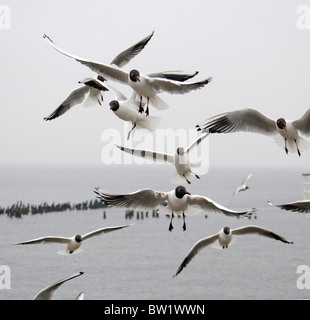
x,y
257,56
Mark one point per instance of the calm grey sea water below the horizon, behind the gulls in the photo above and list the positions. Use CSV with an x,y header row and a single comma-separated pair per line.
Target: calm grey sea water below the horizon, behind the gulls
x,y
138,262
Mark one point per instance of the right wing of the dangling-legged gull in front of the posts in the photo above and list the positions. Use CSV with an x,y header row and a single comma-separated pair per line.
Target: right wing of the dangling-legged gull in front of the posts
x,y
209,205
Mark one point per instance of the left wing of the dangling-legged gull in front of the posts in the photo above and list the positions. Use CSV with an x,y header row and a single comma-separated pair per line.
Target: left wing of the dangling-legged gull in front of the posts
x,y
144,199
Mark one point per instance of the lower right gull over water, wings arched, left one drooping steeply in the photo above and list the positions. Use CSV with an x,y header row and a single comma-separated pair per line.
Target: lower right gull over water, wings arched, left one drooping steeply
x,y
224,237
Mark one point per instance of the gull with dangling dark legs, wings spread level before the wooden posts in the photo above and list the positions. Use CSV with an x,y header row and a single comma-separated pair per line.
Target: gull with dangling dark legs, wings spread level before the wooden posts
x,y
179,201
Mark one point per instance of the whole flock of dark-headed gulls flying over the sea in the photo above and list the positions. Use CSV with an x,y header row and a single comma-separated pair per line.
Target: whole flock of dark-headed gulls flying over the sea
x,y
136,110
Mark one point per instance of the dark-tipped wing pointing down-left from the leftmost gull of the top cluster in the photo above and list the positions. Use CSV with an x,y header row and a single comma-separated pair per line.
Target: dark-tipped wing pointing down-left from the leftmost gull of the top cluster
x,y
75,97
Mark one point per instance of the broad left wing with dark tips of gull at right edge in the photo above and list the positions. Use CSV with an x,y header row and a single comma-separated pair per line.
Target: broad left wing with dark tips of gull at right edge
x,y
247,120
